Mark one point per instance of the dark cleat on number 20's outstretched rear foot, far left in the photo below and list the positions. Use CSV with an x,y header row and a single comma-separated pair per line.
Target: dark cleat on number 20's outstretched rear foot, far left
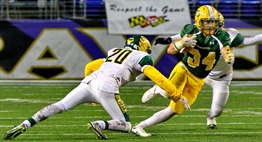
x,y
14,132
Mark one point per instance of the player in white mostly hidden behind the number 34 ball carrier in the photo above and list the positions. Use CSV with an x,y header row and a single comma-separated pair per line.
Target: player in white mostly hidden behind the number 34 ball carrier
x,y
219,78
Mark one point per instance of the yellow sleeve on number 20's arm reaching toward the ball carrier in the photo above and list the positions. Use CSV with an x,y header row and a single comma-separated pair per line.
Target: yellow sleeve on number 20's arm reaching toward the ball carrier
x,y
172,92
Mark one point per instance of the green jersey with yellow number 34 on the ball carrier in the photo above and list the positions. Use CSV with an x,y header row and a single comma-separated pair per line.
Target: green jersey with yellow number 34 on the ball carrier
x,y
204,56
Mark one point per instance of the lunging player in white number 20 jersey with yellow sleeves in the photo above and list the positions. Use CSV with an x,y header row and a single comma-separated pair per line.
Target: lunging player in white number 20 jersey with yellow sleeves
x,y
101,85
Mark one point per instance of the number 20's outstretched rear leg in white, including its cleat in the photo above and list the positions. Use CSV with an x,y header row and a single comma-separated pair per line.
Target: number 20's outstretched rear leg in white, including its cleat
x,y
75,97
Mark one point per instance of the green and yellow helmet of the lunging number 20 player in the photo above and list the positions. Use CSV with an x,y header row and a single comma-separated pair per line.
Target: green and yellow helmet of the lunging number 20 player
x,y
139,43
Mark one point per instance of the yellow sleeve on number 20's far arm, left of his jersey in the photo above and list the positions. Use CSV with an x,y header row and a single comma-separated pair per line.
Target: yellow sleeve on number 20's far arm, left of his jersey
x,y
93,66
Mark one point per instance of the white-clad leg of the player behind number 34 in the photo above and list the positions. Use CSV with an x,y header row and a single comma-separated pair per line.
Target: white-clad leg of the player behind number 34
x,y
219,100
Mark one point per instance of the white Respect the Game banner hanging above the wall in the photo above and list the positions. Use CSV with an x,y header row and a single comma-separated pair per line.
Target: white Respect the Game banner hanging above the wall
x,y
147,17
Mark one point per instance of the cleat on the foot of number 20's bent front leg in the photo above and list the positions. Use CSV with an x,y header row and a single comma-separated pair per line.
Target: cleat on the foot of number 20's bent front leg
x,y
94,127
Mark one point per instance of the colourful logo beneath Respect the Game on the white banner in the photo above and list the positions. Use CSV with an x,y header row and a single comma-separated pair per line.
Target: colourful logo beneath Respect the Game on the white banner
x,y
146,21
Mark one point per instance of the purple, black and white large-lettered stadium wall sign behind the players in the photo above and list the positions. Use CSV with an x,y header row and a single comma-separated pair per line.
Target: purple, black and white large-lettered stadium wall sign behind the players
x,y
59,50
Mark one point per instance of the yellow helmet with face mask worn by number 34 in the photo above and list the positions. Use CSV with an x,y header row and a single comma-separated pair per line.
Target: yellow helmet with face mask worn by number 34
x,y
207,19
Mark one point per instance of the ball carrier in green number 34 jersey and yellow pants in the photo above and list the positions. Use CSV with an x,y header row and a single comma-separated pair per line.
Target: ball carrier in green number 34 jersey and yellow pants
x,y
205,46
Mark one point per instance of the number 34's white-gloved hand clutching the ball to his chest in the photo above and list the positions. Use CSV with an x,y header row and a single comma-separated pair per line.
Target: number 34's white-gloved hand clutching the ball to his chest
x,y
186,42
